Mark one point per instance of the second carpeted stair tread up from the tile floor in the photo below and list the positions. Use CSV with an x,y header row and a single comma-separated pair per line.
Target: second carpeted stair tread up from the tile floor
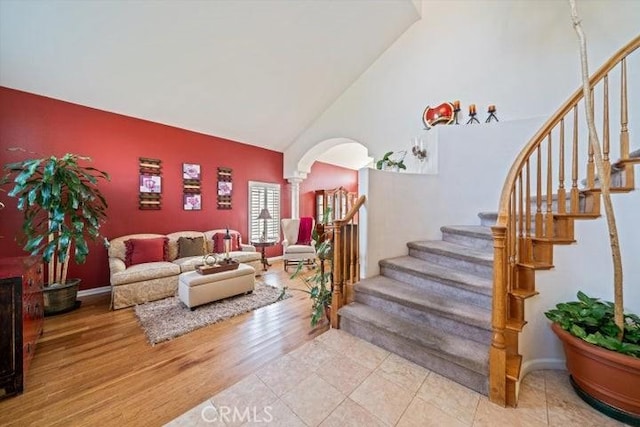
x,y
410,296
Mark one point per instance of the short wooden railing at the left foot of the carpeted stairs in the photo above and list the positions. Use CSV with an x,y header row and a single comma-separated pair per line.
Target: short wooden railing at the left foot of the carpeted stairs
x,y
346,260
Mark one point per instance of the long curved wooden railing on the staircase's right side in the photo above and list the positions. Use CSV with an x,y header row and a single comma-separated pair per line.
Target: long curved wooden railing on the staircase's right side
x,y
531,219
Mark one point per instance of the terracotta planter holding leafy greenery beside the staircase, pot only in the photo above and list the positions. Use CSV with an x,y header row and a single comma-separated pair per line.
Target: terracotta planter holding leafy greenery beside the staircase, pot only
x,y
604,375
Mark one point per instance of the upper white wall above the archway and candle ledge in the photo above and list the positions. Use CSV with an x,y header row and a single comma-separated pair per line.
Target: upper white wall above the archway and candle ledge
x,y
520,55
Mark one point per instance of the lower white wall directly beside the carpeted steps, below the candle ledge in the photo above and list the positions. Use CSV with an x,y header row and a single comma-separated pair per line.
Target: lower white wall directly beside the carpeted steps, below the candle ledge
x,y
472,163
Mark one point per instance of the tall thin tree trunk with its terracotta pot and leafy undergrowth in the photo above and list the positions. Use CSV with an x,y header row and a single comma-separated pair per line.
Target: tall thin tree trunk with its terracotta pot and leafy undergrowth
x,y
601,342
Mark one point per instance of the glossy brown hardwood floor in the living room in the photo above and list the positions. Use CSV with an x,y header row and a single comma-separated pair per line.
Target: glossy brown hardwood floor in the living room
x,y
94,366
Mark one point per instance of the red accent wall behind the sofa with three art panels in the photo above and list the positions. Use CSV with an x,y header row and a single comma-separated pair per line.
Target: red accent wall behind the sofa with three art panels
x,y
44,126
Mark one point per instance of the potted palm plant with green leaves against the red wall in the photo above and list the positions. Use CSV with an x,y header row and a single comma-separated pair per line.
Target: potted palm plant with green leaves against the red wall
x,y
62,206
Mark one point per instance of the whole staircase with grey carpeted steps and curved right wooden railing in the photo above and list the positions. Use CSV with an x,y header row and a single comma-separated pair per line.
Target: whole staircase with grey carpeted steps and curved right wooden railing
x,y
457,306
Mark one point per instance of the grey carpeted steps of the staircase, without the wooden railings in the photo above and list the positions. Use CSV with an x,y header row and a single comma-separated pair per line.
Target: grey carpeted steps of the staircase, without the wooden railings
x,y
433,306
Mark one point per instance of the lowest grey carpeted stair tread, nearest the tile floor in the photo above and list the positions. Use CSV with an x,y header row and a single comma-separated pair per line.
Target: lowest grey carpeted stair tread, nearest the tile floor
x,y
463,352
